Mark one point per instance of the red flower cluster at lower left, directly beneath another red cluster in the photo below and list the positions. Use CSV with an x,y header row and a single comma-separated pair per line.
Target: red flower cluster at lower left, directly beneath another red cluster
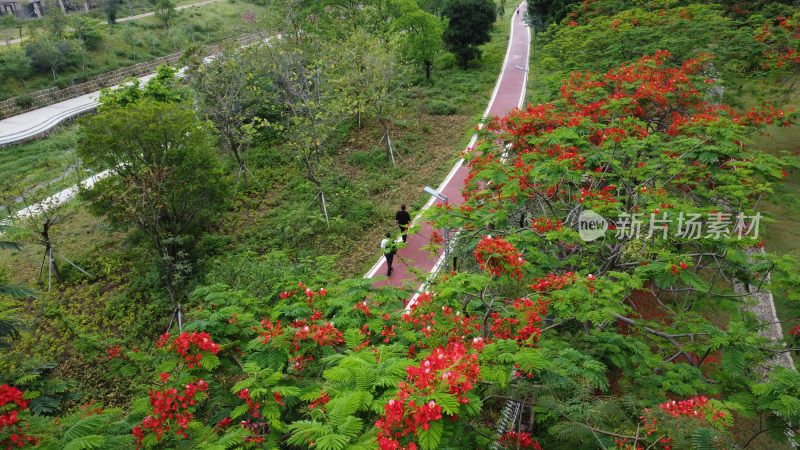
x,y
171,410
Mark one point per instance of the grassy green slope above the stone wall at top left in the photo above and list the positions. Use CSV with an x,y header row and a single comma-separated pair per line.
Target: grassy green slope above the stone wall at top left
x,y
144,39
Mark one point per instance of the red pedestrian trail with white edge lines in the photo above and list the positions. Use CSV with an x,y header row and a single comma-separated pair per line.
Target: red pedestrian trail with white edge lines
x,y
509,92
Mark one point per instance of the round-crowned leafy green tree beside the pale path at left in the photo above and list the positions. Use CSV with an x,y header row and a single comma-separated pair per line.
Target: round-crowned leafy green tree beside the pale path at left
x,y
167,179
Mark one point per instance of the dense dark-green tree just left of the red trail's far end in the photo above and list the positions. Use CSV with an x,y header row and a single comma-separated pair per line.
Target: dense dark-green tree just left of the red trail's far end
x,y
469,24
